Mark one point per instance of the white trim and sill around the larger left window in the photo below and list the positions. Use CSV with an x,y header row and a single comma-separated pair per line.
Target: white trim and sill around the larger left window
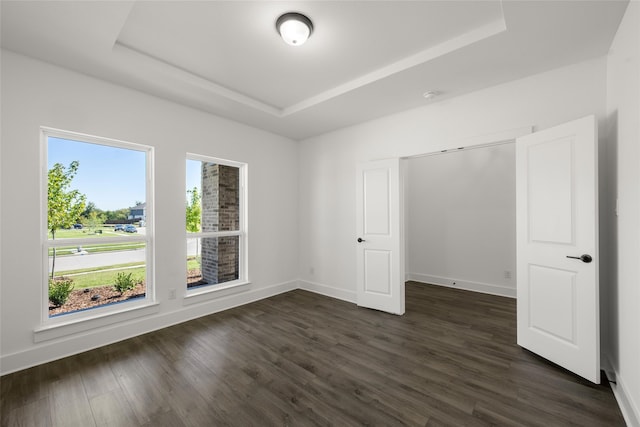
x,y
83,320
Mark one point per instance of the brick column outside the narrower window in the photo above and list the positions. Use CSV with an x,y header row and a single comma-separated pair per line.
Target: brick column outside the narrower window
x,y
220,212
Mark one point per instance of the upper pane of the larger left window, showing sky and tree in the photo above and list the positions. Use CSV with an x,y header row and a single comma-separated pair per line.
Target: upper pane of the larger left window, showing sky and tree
x,y
90,185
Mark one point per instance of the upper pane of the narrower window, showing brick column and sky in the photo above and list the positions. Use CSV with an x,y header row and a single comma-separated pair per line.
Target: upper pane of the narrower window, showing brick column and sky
x,y
213,197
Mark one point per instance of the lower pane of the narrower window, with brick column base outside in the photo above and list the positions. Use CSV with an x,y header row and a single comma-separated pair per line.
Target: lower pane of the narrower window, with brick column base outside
x,y
212,260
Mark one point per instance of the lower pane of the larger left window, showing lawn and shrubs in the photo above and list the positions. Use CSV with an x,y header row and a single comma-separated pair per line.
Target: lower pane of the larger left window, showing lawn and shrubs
x,y
98,275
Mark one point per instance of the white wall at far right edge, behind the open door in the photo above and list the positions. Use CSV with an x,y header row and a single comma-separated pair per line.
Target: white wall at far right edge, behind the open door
x,y
623,154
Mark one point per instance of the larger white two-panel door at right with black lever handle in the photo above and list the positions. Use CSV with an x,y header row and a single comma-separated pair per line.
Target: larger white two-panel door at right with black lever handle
x,y
557,245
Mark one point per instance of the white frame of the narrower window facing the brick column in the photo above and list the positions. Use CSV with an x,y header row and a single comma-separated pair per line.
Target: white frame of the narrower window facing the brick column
x,y
242,232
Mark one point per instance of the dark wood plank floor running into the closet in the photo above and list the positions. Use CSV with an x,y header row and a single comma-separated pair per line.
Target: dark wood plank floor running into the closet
x,y
302,359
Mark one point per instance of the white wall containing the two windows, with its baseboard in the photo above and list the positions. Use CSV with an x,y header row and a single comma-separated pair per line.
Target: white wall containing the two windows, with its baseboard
x,y
36,94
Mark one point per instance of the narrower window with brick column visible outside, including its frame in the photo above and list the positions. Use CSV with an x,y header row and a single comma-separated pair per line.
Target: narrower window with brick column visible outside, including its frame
x,y
216,223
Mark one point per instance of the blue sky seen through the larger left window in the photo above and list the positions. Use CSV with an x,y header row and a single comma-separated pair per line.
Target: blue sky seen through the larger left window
x,y
112,178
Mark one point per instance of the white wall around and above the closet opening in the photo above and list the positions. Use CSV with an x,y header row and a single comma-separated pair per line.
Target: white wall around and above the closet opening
x,y
327,163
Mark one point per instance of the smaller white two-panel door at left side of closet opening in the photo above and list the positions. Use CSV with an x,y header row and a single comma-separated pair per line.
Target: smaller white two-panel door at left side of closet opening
x,y
380,262
